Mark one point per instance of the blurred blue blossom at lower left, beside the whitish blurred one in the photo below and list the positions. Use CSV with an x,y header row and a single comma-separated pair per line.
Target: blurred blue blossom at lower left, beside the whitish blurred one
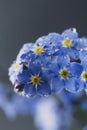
x,y
15,104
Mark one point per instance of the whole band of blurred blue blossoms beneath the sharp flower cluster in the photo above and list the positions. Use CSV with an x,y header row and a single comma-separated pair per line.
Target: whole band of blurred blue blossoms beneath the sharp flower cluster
x,y
54,112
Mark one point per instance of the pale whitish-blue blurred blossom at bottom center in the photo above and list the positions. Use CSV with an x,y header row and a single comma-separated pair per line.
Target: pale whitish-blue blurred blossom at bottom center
x,y
50,116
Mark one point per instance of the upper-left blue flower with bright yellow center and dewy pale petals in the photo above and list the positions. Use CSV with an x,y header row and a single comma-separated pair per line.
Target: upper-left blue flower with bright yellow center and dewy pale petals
x,y
45,47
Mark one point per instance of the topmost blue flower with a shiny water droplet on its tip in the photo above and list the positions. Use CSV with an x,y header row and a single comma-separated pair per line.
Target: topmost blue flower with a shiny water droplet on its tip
x,y
69,43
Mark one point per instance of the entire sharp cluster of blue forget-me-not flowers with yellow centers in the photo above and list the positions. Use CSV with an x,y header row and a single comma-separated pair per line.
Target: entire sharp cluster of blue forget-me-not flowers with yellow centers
x,y
53,63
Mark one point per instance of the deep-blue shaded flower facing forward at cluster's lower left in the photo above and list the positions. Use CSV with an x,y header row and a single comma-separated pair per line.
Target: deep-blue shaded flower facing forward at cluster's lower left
x,y
35,80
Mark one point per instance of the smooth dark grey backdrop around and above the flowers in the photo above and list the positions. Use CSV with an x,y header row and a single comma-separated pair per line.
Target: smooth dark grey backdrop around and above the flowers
x,y
24,21
